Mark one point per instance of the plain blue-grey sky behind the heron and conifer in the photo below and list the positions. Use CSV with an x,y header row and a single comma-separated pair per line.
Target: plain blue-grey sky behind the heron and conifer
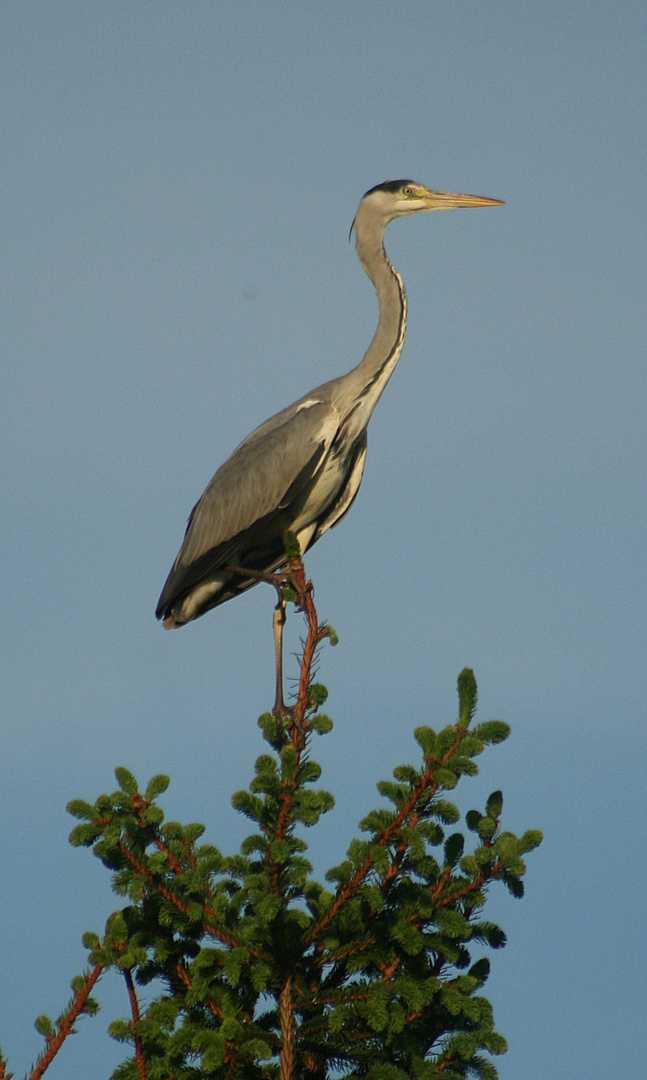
x,y
179,181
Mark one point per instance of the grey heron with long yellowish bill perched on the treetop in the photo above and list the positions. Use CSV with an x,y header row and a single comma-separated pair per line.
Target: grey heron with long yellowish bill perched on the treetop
x,y
301,470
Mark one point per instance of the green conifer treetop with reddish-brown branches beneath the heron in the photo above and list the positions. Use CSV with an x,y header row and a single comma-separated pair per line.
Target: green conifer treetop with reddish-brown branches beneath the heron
x,y
260,971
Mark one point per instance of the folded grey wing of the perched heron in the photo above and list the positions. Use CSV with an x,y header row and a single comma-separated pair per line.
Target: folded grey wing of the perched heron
x,y
251,498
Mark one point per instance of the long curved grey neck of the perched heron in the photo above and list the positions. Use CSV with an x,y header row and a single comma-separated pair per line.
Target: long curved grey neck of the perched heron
x,y
375,370
